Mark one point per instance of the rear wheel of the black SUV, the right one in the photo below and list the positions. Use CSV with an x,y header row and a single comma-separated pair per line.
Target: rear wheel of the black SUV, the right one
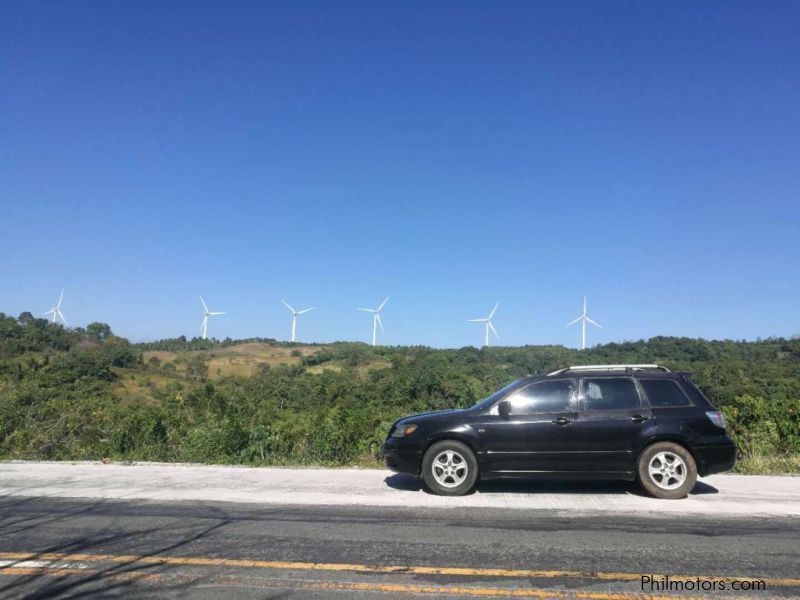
x,y
666,470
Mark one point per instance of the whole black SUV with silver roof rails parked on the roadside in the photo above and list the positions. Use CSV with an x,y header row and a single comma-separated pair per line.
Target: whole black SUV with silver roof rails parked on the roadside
x,y
630,422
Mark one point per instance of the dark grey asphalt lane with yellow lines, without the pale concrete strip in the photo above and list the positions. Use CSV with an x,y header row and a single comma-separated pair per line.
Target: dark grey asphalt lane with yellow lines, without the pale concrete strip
x,y
100,548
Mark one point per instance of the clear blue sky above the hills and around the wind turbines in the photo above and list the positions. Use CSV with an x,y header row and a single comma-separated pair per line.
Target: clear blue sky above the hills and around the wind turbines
x,y
449,154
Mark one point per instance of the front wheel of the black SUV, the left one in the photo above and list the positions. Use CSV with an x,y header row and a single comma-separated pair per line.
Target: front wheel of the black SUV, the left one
x,y
449,468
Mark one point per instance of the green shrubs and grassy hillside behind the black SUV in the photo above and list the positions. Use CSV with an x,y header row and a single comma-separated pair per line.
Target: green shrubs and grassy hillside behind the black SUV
x,y
88,394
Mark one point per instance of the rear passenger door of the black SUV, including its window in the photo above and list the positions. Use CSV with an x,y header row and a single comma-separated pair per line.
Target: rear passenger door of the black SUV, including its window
x,y
611,422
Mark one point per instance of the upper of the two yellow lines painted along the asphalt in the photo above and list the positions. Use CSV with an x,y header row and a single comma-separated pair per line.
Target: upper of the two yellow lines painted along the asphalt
x,y
363,568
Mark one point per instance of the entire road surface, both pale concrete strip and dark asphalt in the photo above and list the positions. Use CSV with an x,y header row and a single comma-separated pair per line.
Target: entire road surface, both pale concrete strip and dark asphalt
x,y
114,531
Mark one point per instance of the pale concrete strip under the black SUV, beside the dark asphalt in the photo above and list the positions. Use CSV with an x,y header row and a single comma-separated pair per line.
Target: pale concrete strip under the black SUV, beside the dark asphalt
x,y
713,496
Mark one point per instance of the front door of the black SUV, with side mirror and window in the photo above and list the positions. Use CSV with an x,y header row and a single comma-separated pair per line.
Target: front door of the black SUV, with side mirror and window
x,y
535,434
